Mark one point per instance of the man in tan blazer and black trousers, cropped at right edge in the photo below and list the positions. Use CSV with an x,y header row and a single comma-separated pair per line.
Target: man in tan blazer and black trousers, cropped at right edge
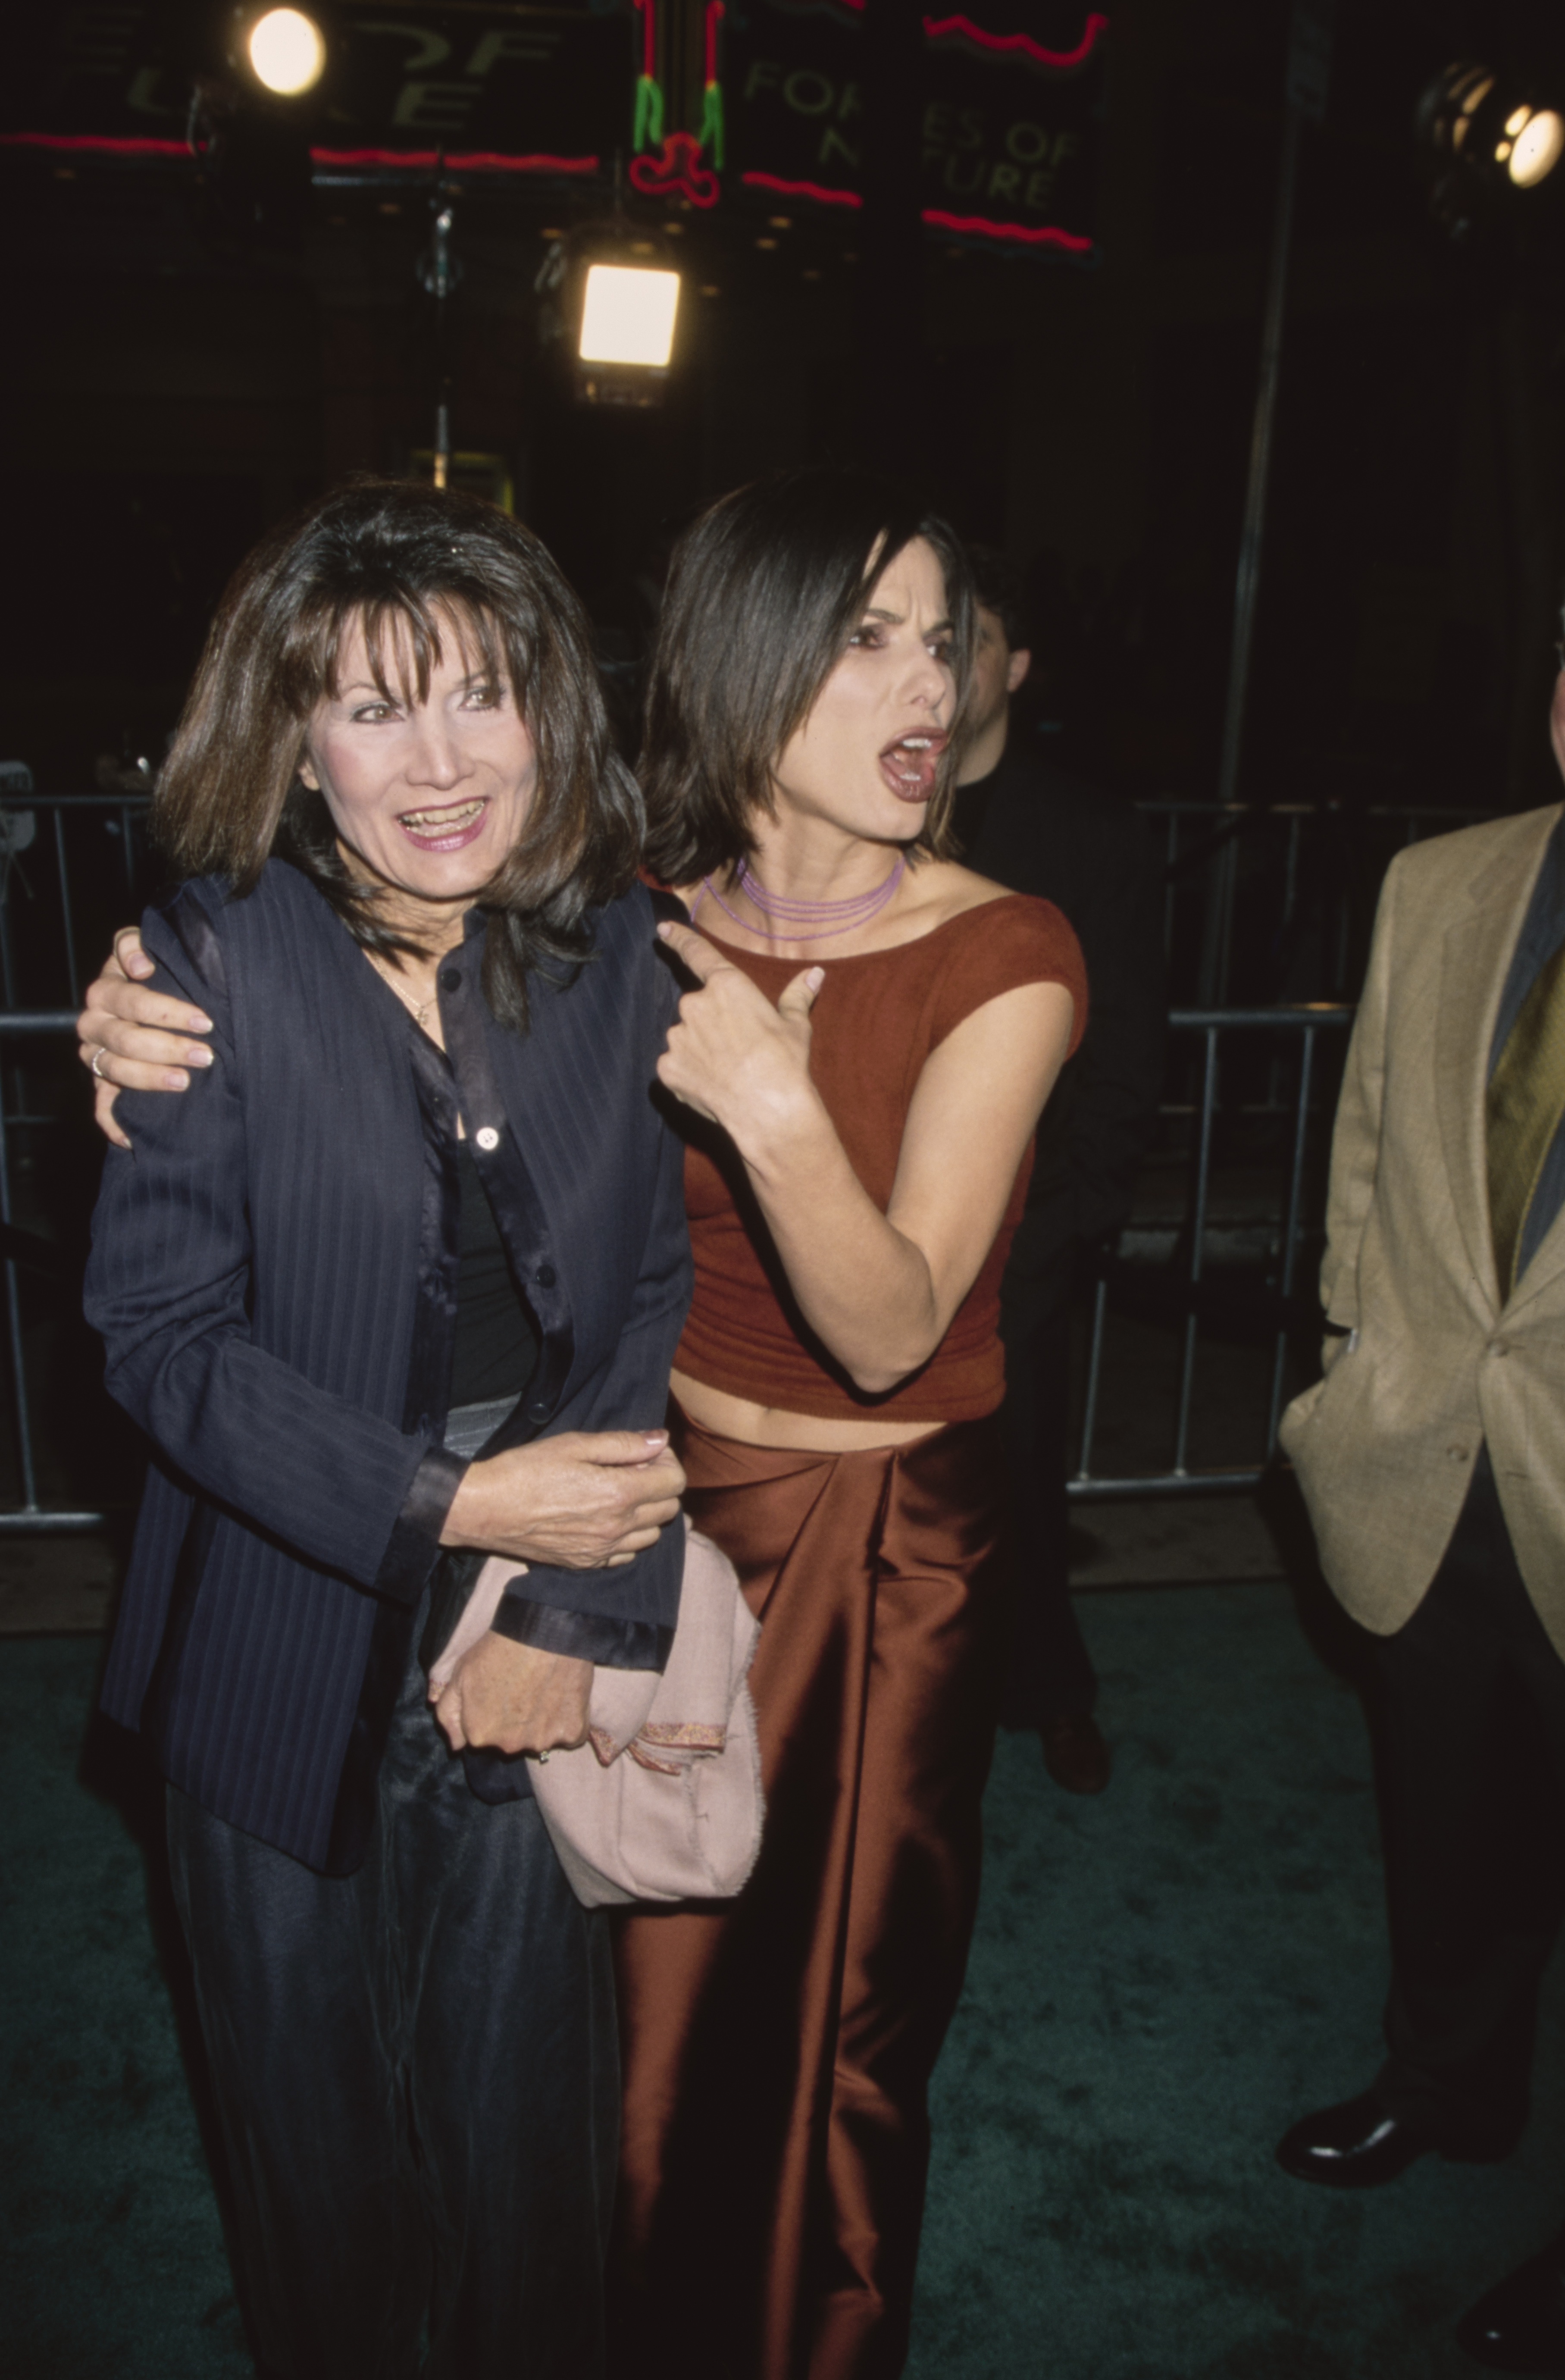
x,y
1433,1463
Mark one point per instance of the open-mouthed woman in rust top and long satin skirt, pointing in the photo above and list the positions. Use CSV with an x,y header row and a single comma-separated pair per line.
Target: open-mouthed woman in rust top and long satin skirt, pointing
x,y
862,1065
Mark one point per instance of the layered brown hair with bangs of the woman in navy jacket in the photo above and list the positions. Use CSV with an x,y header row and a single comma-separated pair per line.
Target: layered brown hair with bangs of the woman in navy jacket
x,y
417,568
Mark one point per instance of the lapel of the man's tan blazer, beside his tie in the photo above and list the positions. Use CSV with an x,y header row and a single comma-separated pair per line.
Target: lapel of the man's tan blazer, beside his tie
x,y
1476,963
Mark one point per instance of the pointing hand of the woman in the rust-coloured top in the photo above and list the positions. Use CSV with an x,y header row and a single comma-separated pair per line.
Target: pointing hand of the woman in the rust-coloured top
x,y
736,1058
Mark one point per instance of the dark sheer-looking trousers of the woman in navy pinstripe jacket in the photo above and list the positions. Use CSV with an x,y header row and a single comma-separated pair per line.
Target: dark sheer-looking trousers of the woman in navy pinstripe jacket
x,y
417,2077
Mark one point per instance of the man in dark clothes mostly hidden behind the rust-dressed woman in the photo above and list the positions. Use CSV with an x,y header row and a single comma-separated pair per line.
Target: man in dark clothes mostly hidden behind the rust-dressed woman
x,y
1036,829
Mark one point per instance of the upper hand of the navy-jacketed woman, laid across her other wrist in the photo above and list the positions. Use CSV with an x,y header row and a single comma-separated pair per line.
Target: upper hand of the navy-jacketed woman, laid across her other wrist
x,y
582,1501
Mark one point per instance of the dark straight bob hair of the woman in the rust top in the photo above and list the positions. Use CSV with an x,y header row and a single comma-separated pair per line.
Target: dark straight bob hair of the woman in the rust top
x,y
762,601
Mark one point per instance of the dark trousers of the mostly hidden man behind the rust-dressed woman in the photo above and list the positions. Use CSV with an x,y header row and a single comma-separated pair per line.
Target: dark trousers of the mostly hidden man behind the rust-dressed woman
x,y
1048,1670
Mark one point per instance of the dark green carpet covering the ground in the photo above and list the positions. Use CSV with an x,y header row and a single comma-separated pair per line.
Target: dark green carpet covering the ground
x,y
1162,1981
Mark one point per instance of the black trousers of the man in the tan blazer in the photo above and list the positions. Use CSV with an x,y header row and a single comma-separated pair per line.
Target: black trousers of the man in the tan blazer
x,y
1473,1786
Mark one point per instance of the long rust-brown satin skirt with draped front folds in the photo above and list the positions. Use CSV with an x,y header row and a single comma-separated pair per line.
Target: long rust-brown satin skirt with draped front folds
x,y
779,2048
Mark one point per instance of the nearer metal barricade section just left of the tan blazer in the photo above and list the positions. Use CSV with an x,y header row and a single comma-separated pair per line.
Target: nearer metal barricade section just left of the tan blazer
x,y
1179,1479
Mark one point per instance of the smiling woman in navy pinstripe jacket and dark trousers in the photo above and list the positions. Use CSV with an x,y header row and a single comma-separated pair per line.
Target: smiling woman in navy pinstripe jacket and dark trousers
x,y
391,1291
